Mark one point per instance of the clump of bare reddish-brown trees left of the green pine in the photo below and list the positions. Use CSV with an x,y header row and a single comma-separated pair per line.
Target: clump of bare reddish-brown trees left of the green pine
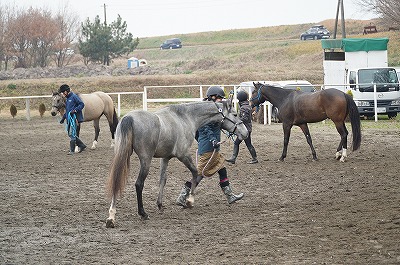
x,y
34,36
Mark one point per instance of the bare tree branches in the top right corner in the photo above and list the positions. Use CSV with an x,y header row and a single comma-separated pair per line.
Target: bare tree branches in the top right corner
x,y
387,10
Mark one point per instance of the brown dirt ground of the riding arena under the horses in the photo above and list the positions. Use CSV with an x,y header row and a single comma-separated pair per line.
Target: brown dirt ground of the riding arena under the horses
x,y
299,211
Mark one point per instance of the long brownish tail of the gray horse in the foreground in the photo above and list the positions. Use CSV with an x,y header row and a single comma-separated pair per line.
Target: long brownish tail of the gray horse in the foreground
x,y
121,163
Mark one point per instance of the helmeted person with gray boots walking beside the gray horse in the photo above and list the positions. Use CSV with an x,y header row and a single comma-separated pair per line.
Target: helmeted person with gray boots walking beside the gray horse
x,y
210,160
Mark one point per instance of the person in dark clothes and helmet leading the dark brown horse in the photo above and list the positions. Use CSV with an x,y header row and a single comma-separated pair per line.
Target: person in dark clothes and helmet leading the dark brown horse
x,y
245,117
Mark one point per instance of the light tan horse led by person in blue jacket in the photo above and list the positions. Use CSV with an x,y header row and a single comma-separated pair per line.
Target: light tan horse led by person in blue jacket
x,y
96,104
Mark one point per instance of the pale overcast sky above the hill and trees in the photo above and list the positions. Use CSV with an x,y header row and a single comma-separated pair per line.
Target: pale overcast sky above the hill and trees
x,y
148,18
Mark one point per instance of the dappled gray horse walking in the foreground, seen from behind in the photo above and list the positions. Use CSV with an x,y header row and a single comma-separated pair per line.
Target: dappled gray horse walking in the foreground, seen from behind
x,y
164,134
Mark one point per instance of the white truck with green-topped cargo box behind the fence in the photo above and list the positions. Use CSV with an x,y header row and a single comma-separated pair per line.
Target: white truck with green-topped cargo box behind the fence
x,y
359,67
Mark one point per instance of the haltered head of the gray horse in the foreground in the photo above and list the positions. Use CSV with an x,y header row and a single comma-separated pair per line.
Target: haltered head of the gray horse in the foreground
x,y
230,121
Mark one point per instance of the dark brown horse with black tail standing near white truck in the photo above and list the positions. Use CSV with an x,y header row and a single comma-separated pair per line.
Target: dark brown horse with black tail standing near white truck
x,y
299,108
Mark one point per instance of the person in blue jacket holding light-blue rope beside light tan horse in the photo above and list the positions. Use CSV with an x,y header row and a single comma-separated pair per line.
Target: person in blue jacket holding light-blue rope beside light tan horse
x,y
73,108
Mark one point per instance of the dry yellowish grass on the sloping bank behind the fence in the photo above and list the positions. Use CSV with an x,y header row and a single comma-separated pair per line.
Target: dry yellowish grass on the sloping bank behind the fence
x,y
224,57
